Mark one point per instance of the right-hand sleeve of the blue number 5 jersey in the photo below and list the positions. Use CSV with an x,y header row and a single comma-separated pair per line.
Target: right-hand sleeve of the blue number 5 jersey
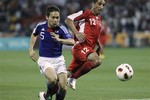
x,y
64,32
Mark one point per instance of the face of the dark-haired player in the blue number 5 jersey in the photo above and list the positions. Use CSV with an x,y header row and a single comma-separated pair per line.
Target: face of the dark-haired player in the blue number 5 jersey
x,y
53,19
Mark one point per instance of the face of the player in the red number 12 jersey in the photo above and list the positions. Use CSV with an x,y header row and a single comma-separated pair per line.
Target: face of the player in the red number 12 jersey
x,y
98,6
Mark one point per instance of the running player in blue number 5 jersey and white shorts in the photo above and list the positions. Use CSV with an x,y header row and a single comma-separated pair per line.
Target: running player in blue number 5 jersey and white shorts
x,y
51,62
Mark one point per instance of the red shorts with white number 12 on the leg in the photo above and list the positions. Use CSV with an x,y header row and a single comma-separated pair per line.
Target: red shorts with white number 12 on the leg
x,y
80,54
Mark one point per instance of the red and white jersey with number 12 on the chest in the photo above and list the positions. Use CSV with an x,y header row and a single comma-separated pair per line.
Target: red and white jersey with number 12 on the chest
x,y
89,24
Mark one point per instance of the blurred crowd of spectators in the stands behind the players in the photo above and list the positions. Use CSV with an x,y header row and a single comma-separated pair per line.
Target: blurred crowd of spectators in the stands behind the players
x,y
18,17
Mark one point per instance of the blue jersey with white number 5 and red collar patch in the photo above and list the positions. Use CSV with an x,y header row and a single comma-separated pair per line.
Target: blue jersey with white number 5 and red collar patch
x,y
48,46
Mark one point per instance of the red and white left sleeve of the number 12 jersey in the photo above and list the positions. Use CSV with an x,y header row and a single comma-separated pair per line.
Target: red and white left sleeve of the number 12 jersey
x,y
79,15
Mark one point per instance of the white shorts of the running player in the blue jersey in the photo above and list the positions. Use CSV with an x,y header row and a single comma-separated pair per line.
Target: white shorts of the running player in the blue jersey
x,y
58,64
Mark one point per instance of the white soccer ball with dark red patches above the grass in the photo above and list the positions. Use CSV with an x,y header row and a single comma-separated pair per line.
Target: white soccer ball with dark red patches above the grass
x,y
124,72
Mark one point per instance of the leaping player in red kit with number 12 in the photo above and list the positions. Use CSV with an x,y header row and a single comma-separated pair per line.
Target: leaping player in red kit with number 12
x,y
86,33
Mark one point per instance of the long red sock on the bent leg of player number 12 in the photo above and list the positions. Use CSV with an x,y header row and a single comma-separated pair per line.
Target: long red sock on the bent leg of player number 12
x,y
85,68
